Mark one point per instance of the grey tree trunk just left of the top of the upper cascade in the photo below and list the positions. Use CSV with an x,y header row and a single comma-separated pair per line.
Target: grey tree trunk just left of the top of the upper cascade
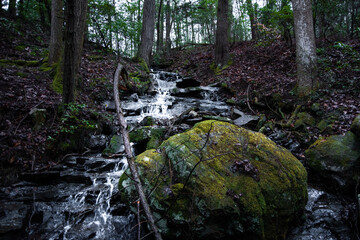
x,y
147,31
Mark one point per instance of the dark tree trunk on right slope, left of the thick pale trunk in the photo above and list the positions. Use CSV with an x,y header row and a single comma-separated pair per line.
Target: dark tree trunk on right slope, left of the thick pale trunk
x,y
222,33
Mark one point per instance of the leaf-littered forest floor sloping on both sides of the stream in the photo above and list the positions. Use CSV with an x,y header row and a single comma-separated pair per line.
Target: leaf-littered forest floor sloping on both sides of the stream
x,y
260,78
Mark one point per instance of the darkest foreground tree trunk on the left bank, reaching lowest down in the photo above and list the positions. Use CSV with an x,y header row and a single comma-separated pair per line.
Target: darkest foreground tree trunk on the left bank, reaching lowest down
x,y
74,37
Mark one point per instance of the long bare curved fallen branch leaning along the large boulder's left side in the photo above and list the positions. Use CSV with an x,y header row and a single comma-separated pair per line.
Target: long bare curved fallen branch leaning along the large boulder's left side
x,y
121,71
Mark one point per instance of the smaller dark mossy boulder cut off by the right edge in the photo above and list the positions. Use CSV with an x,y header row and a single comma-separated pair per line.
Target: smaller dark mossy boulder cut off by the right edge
x,y
336,159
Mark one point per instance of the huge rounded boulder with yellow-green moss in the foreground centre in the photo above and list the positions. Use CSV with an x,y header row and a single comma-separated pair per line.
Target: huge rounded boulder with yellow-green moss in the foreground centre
x,y
220,181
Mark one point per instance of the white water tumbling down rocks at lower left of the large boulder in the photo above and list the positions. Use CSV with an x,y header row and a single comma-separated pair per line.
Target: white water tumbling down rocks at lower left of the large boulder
x,y
86,216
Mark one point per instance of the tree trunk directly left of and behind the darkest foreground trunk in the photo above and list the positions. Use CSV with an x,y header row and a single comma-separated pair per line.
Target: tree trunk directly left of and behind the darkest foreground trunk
x,y
56,43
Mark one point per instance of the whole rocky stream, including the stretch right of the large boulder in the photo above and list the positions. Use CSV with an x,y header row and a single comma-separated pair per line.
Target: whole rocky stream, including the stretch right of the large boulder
x,y
79,198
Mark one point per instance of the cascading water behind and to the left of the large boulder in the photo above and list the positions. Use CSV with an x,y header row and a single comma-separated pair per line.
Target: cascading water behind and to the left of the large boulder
x,y
78,199
